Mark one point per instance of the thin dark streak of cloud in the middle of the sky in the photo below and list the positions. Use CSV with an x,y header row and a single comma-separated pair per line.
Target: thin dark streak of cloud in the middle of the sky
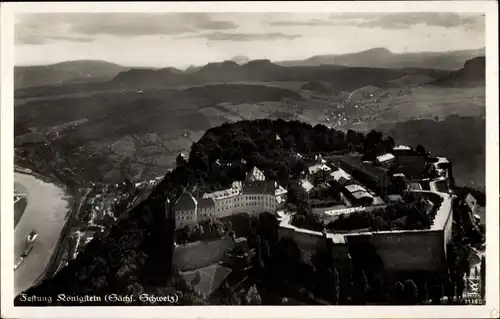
x,y
226,36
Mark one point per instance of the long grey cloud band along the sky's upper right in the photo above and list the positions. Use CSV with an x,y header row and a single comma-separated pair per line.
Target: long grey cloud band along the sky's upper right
x,y
401,20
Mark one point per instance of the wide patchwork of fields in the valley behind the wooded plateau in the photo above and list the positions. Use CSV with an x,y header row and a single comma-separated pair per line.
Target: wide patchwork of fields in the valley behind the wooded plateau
x,y
137,134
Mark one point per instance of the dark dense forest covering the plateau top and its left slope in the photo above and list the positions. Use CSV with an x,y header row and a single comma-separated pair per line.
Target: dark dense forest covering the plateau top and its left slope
x,y
135,256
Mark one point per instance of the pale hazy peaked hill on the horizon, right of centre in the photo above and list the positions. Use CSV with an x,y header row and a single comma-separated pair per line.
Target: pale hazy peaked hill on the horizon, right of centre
x,y
383,58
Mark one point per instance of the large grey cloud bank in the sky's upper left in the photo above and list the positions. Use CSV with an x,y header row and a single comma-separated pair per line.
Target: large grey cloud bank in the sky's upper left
x,y
45,27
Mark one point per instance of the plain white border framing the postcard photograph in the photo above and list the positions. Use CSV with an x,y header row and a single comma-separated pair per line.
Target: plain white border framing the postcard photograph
x,y
491,310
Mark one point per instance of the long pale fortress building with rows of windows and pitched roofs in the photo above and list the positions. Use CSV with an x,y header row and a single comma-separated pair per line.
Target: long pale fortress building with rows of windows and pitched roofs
x,y
254,195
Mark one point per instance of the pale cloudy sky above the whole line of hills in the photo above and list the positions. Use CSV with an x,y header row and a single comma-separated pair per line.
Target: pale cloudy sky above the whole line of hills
x,y
183,39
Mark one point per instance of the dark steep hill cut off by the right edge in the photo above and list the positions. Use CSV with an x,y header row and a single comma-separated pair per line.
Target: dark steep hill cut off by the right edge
x,y
472,74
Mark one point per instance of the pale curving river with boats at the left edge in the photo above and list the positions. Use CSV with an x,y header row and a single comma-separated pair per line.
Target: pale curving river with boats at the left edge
x,y
46,210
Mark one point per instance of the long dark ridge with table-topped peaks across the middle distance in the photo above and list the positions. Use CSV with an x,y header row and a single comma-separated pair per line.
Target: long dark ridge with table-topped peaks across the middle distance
x,y
334,78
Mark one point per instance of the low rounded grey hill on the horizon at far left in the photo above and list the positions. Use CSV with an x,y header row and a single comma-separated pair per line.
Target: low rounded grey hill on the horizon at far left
x,y
65,72
